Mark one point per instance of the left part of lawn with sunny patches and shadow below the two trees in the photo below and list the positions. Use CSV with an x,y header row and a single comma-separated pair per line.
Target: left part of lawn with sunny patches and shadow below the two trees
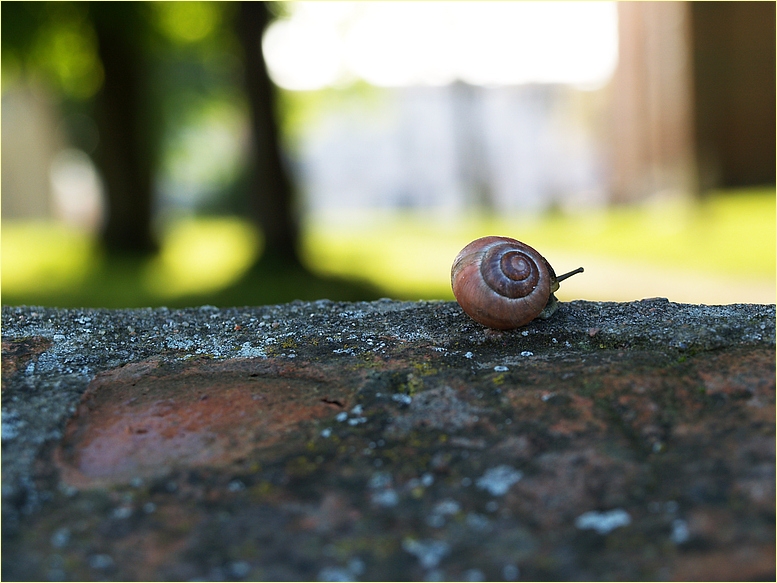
x,y
202,261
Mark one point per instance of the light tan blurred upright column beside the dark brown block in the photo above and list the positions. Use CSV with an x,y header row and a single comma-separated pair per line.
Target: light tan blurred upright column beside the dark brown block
x,y
652,131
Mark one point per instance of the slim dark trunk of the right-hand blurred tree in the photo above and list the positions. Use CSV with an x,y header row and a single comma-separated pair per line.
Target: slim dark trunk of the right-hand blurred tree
x,y
272,190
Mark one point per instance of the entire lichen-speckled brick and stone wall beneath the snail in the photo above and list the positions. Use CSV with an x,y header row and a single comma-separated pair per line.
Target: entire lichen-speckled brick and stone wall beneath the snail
x,y
389,441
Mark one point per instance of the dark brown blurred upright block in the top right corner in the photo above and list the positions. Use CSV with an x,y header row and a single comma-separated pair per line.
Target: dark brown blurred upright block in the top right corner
x,y
734,81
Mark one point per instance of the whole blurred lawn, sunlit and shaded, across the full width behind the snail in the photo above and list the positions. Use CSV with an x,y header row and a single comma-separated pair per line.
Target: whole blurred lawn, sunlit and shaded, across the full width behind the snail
x,y
729,237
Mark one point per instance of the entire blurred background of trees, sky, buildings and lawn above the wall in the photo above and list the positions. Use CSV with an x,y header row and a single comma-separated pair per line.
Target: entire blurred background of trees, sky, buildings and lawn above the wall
x,y
188,153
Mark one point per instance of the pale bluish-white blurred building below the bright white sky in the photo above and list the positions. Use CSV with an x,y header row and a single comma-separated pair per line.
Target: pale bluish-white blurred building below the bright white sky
x,y
455,146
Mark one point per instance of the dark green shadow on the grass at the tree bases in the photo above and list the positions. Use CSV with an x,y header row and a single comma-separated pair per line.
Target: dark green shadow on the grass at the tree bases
x,y
119,283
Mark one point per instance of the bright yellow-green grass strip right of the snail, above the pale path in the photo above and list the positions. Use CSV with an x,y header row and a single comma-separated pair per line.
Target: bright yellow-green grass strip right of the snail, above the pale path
x,y
725,234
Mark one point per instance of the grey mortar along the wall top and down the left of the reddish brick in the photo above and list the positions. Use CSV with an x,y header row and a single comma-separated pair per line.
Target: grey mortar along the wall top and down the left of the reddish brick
x,y
42,396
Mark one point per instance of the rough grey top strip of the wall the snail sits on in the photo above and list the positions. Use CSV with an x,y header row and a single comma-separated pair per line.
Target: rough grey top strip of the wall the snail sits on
x,y
90,339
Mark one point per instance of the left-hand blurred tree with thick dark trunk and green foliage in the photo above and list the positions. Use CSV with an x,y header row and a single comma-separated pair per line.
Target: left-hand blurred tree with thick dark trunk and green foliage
x,y
93,56
